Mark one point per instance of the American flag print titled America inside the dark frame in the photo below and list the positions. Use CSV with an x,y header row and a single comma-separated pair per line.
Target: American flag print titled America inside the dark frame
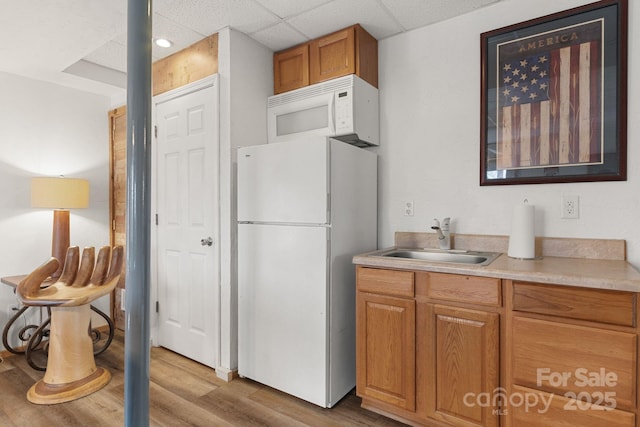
x,y
549,99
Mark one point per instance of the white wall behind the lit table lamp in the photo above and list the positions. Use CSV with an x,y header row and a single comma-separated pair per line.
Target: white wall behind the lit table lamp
x,y
48,130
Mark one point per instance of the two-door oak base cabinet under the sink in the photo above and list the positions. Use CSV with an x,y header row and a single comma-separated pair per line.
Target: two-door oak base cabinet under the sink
x,y
420,359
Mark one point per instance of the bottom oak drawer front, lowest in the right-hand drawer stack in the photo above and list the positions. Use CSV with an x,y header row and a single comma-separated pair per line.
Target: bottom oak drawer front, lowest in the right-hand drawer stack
x,y
553,410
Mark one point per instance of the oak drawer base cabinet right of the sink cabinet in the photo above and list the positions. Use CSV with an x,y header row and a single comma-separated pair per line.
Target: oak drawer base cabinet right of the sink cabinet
x,y
573,357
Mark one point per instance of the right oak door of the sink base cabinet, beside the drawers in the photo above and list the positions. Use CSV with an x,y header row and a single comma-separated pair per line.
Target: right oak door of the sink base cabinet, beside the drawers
x,y
464,365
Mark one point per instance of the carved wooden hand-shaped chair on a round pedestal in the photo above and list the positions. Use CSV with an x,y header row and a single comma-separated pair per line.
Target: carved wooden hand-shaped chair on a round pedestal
x,y
71,370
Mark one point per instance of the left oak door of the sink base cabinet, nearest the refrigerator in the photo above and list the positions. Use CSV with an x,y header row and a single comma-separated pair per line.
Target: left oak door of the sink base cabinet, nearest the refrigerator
x,y
386,349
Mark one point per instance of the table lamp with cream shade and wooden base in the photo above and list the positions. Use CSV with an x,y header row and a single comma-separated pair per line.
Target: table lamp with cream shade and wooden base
x,y
59,194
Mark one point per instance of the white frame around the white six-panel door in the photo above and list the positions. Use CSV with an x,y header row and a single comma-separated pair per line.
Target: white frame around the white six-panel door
x,y
212,80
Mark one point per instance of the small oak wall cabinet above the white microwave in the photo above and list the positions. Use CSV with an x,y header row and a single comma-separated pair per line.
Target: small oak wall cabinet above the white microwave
x,y
348,51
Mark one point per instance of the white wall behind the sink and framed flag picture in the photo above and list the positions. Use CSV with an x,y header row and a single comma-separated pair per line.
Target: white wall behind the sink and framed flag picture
x,y
430,130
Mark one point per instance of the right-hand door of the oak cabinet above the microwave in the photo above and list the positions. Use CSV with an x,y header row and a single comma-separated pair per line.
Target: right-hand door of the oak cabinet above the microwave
x,y
332,56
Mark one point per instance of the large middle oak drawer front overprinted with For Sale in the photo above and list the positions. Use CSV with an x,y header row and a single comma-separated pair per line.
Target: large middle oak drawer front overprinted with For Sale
x,y
561,358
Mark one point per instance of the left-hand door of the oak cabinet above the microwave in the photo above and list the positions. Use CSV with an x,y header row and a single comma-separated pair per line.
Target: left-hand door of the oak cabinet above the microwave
x,y
291,69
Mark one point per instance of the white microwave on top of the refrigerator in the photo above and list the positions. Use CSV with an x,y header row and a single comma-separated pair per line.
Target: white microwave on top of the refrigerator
x,y
345,108
